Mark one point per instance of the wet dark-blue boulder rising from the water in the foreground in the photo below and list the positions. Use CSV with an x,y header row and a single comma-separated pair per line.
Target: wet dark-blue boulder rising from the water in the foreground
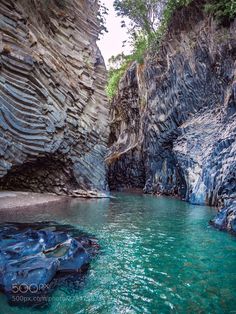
x,y
35,259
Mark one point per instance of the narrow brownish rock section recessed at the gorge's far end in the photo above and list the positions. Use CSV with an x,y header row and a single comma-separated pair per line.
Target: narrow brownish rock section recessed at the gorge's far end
x,y
126,167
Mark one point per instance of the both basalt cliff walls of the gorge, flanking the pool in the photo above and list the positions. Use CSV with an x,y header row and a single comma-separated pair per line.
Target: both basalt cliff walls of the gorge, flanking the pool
x,y
169,130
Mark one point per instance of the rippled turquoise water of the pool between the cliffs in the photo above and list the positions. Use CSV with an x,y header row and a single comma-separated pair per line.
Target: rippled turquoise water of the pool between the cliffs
x,y
158,256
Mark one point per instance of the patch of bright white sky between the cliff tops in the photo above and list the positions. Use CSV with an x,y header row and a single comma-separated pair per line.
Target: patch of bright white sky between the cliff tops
x,y
111,42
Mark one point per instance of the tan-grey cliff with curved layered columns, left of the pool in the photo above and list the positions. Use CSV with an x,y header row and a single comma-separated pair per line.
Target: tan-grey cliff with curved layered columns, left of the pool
x,y
53,109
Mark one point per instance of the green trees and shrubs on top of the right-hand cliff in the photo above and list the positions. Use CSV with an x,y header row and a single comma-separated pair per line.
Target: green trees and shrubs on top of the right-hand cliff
x,y
149,23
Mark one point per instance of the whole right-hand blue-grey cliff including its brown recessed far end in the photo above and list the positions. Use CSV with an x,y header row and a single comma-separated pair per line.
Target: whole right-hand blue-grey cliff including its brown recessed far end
x,y
182,104
